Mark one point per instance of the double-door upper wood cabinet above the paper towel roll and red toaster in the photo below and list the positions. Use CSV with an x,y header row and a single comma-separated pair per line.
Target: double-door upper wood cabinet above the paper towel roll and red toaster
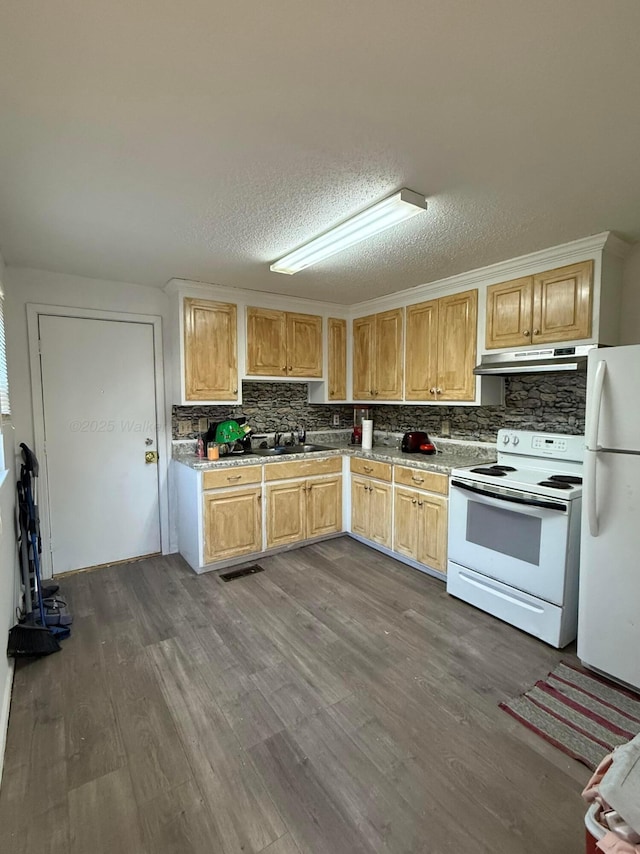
x,y
377,356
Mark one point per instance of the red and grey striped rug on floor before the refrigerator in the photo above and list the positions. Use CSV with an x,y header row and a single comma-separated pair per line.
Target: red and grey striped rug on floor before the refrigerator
x,y
578,712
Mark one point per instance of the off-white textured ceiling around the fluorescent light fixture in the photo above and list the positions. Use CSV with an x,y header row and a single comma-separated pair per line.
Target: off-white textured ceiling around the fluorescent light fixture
x,y
145,140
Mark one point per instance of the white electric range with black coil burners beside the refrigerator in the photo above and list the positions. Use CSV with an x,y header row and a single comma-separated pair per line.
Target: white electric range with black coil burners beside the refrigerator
x,y
514,533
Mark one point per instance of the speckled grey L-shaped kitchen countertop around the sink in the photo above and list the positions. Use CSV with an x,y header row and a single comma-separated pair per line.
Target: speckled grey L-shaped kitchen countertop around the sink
x,y
451,454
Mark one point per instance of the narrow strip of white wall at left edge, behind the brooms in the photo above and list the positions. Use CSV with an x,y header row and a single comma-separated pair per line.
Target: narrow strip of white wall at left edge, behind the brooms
x,y
8,567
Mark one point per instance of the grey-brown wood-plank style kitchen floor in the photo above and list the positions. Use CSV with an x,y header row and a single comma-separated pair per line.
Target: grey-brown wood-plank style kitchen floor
x,y
337,703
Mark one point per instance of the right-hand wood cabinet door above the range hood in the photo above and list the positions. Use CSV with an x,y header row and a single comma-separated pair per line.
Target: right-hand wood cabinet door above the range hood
x,y
562,304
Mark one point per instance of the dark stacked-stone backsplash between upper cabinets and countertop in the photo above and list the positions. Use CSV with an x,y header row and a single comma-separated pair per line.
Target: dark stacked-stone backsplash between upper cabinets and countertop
x,y
553,402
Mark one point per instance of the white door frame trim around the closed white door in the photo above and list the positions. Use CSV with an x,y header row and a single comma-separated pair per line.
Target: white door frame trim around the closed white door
x,y
34,311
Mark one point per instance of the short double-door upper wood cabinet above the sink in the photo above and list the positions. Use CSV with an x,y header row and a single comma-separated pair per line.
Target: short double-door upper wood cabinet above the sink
x,y
283,343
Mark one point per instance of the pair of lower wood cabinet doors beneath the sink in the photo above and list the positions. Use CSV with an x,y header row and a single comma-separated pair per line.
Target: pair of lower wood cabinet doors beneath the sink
x,y
303,509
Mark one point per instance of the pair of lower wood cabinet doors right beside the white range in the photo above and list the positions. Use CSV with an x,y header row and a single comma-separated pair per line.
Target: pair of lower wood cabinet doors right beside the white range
x,y
420,527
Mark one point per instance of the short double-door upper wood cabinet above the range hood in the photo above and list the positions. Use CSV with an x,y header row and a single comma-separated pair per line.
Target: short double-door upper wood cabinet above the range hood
x,y
546,308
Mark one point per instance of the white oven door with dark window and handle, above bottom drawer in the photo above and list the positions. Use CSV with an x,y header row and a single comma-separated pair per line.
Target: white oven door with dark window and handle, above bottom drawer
x,y
514,537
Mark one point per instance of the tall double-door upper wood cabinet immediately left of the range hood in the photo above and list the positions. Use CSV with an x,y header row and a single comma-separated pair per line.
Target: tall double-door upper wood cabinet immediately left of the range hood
x,y
441,348
